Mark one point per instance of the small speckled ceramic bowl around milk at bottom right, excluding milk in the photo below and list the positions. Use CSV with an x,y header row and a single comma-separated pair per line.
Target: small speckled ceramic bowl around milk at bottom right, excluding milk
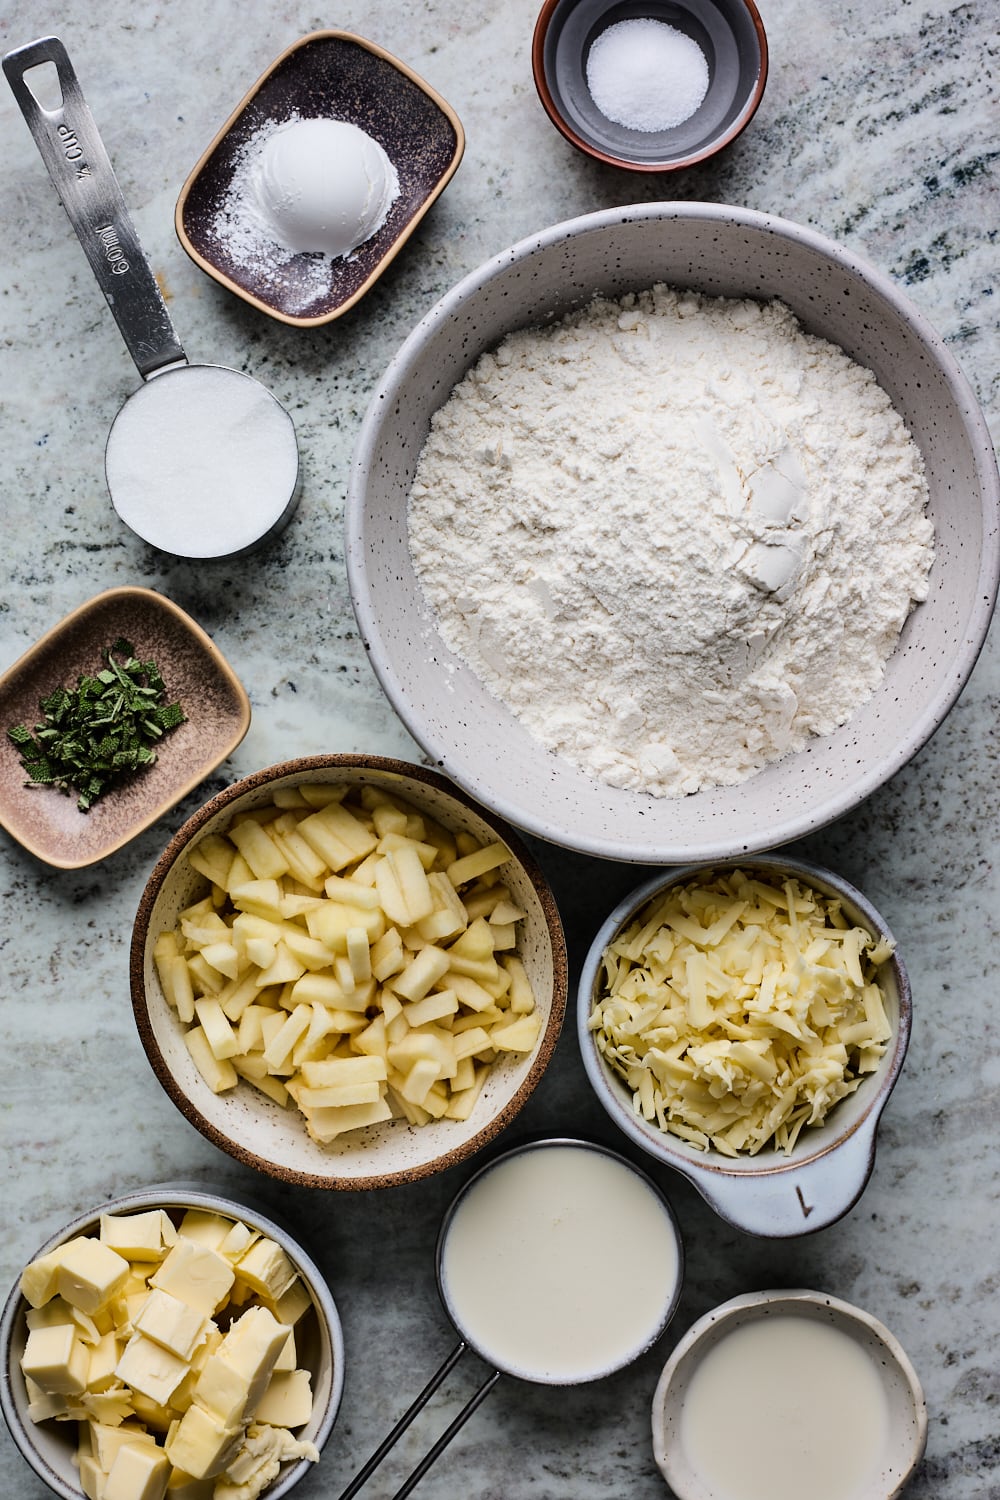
x,y
905,1396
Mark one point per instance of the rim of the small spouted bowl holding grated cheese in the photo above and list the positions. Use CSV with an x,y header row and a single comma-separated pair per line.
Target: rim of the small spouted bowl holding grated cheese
x,y
713,1168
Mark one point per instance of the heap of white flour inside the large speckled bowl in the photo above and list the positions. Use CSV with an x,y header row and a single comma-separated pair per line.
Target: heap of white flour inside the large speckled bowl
x,y
675,535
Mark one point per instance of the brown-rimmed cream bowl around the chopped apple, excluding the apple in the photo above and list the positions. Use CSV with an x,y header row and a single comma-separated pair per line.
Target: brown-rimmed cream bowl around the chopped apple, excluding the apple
x,y
274,1141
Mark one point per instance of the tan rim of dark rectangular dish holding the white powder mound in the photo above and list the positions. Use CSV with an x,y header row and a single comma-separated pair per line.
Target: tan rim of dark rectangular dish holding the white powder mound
x,y
404,235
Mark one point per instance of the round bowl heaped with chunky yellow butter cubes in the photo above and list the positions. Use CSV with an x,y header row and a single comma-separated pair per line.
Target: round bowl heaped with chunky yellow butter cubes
x,y
172,1342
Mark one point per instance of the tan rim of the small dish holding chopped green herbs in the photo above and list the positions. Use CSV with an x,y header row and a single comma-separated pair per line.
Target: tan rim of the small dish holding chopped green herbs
x,y
155,604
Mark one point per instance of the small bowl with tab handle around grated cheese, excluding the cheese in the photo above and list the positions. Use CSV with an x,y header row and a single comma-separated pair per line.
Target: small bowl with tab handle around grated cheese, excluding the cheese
x,y
771,1195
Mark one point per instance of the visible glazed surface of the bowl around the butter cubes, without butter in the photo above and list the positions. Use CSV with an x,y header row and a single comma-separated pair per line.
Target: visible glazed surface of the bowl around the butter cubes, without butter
x,y
50,1447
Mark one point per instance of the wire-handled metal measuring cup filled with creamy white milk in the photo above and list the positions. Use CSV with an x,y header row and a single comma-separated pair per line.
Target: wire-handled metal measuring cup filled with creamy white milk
x,y
558,1264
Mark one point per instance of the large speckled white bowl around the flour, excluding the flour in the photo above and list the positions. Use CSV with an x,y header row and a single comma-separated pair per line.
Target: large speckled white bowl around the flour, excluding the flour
x,y
719,251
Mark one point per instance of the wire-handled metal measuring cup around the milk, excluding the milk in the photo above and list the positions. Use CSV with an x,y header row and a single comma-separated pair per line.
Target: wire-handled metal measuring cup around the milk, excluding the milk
x,y
470,1339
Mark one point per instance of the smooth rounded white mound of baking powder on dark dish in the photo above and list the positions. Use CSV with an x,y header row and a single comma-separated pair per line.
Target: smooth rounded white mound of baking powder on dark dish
x,y
323,185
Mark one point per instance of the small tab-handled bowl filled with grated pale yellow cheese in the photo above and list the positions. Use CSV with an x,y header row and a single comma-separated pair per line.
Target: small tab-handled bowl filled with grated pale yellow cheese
x,y
744,1024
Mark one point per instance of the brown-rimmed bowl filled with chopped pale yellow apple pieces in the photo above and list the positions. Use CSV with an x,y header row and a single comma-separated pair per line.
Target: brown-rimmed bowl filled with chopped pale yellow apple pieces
x,y
347,974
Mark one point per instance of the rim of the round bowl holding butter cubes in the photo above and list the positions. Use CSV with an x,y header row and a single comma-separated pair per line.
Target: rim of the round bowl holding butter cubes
x,y
179,1195
